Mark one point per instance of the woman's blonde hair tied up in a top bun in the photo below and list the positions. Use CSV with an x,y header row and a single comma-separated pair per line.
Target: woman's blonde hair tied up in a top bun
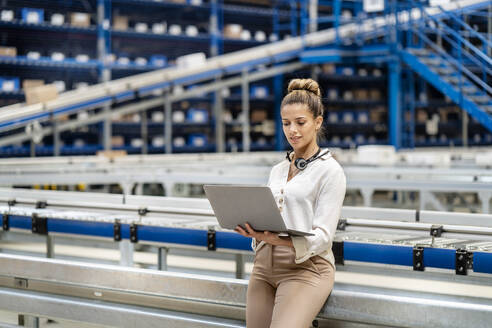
x,y
306,92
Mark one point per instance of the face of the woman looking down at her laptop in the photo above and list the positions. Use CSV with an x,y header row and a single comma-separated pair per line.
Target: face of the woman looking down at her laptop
x,y
299,125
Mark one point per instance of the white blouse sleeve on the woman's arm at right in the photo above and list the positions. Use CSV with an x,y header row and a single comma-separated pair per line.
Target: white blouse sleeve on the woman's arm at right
x,y
326,215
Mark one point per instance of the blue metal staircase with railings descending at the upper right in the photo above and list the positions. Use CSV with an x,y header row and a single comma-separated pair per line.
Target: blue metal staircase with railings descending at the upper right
x,y
458,68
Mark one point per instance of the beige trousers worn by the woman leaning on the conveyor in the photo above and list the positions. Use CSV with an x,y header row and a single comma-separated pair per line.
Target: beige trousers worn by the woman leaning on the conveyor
x,y
283,294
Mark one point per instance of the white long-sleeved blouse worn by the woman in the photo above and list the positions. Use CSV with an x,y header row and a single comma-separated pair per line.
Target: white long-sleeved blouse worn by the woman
x,y
311,201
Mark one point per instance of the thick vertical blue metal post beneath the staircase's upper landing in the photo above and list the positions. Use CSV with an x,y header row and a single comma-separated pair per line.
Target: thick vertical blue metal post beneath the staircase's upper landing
x,y
394,107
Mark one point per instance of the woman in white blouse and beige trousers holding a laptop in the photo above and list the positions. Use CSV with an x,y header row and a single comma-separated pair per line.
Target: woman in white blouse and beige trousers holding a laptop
x,y
293,276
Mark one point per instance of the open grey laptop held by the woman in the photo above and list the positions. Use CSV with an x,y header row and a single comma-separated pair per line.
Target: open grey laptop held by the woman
x,y
234,205
